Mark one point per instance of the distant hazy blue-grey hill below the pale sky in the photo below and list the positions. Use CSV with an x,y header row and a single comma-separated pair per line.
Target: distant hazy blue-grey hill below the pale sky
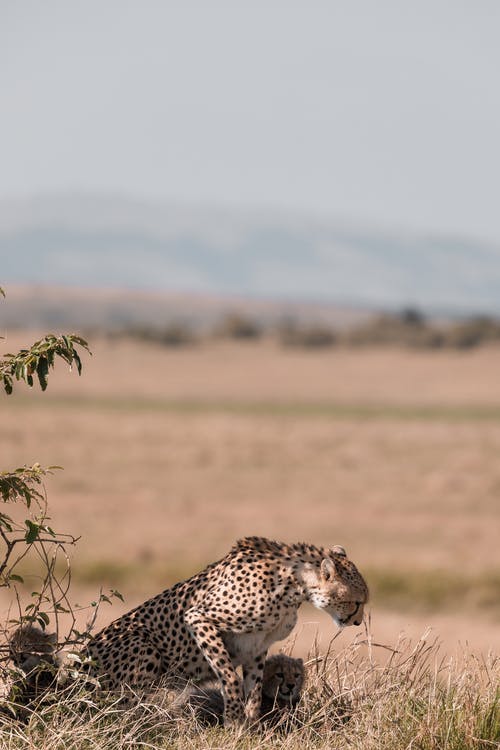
x,y
106,241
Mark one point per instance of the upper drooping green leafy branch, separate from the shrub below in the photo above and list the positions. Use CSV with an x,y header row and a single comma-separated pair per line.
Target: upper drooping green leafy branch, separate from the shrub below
x,y
40,358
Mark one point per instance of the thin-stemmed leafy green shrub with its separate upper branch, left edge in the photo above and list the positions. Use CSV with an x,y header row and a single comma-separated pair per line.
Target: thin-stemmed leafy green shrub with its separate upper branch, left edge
x,y
31,543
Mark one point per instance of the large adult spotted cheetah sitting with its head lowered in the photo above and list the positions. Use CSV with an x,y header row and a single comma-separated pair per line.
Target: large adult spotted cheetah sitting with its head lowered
x,y
228,615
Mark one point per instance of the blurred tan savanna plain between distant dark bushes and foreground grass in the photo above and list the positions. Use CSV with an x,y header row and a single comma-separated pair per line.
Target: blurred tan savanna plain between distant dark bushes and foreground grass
x,y
170,455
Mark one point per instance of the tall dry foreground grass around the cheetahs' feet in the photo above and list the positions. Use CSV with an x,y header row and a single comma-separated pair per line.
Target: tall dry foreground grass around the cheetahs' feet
x,y
410,698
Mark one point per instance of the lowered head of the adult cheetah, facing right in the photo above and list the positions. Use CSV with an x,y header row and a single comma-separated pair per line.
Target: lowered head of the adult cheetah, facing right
x,y
338,588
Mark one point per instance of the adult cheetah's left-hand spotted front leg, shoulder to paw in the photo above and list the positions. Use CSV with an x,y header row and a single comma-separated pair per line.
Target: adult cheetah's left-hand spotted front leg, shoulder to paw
x,y
211,645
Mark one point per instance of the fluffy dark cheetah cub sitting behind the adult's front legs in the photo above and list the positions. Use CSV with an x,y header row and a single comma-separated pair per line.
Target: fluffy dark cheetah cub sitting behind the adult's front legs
x,y
282,683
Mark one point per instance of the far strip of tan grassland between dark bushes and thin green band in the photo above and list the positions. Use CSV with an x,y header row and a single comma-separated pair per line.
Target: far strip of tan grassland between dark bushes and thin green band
x,y
256,372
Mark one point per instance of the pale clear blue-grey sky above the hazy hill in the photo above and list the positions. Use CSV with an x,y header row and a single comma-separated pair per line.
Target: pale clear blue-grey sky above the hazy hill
x,y
374,112
